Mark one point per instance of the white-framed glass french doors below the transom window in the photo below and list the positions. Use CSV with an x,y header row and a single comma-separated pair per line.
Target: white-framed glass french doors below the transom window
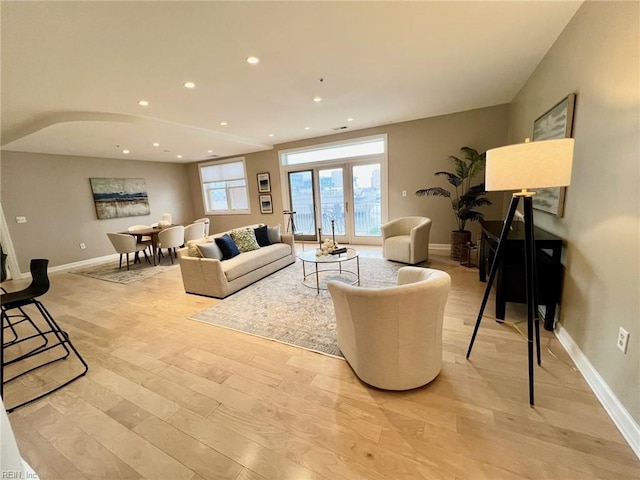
x,y
339,200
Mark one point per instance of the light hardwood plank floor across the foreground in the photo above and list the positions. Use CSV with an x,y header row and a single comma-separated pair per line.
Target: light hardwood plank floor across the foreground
x,y
170,398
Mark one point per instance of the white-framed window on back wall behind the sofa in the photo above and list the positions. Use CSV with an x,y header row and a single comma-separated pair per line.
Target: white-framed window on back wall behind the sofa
x,y
224,187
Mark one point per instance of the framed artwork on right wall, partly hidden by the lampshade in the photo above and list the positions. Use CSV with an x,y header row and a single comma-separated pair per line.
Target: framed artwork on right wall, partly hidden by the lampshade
x,y
554,123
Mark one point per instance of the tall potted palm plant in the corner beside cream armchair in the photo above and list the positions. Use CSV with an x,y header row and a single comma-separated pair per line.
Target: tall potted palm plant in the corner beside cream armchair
x,y
464,198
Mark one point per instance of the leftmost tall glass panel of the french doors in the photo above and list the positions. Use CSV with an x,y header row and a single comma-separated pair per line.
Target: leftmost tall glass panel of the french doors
x,y
301,197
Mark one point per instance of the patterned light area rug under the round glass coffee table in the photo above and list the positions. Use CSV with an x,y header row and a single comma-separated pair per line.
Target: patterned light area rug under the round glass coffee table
x,y
281,308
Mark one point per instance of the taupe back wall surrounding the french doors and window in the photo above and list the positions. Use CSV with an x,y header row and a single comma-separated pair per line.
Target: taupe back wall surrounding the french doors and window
x,y
416,150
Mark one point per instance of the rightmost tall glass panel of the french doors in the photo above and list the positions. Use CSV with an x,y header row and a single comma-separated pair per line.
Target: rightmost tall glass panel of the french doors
x,y
367,202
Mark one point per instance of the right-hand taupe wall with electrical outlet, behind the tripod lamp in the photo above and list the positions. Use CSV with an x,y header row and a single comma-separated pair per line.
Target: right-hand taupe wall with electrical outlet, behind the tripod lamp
x,y
597,57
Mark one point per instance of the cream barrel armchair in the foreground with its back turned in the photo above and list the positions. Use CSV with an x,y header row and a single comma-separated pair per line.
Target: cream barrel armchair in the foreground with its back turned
x,y
392,337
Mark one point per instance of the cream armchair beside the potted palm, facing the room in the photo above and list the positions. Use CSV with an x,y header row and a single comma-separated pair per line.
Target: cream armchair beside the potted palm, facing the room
x,y
406,239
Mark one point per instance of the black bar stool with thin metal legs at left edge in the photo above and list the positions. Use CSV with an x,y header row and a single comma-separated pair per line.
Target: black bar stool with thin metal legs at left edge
x,y
52,344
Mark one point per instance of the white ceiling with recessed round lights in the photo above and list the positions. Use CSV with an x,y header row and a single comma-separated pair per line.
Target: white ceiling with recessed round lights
x,y
74,72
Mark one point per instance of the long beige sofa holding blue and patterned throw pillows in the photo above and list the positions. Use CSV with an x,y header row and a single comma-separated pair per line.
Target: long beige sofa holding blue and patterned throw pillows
x,y
220,278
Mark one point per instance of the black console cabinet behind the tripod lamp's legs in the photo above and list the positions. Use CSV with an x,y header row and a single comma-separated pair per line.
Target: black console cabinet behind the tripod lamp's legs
x,y
510,278
